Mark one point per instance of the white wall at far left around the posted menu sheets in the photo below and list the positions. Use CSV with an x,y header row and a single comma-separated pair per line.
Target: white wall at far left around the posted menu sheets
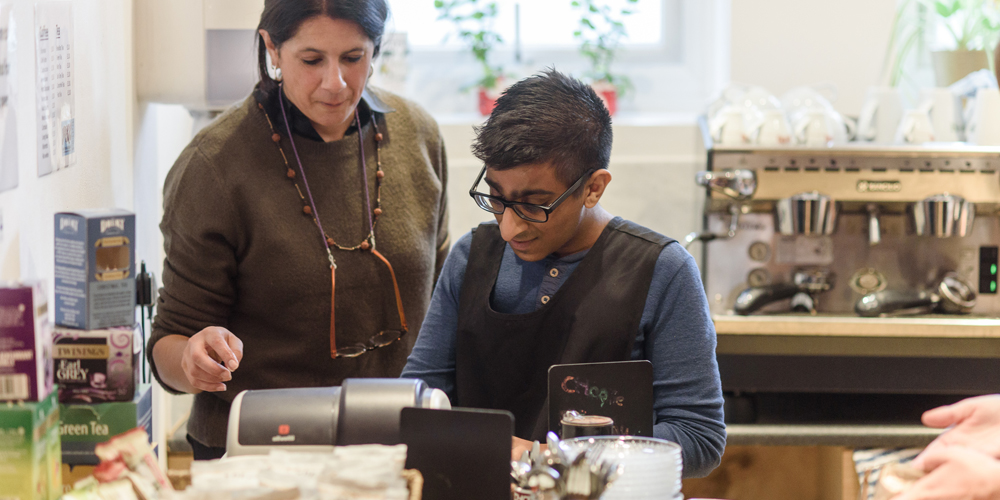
x,y
102,175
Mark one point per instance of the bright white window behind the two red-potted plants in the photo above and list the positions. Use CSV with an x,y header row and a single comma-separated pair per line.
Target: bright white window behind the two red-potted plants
x,y
675,56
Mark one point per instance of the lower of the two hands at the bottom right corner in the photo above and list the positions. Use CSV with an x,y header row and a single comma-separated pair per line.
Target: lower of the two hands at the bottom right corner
x,y
956,473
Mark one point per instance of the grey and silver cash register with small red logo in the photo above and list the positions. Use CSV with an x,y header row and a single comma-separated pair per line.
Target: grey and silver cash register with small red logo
x,y
360,411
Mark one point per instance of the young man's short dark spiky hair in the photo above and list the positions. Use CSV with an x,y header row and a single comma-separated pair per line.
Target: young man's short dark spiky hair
x,y
549,117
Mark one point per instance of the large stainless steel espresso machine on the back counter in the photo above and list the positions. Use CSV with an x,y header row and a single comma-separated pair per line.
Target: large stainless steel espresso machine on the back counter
x,y
875,217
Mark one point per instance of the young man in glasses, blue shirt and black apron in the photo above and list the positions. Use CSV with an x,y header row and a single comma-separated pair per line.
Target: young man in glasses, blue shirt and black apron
x,y
558,279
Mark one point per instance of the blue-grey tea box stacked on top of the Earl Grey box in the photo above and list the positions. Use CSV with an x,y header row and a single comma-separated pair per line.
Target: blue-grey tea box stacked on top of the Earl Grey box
x,y
95,268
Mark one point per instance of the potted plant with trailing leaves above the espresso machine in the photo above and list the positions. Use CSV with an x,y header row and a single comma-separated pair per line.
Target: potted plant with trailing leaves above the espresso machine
x,y
970,26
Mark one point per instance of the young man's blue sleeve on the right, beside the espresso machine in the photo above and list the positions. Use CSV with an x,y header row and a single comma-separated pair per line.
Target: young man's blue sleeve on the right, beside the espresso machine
x,y
679,340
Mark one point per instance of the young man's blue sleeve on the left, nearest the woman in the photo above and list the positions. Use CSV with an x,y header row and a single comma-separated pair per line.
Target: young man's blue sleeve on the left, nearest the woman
x,y
433,357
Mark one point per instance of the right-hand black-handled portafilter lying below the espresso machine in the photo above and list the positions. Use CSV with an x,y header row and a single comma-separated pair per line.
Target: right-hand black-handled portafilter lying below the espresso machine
x,y
952,295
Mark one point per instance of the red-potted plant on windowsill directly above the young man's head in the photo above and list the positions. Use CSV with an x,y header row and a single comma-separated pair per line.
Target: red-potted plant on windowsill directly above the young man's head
x,y
600,32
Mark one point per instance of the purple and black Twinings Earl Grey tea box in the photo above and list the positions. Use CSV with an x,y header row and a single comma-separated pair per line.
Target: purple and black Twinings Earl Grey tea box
x,y
95,366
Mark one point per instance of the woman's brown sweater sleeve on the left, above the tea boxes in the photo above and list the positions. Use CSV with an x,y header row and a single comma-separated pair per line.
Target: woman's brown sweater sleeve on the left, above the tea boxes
x,y
200,234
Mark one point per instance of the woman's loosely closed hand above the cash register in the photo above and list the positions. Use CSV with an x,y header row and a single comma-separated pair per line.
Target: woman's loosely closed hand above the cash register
x,y
210,357
